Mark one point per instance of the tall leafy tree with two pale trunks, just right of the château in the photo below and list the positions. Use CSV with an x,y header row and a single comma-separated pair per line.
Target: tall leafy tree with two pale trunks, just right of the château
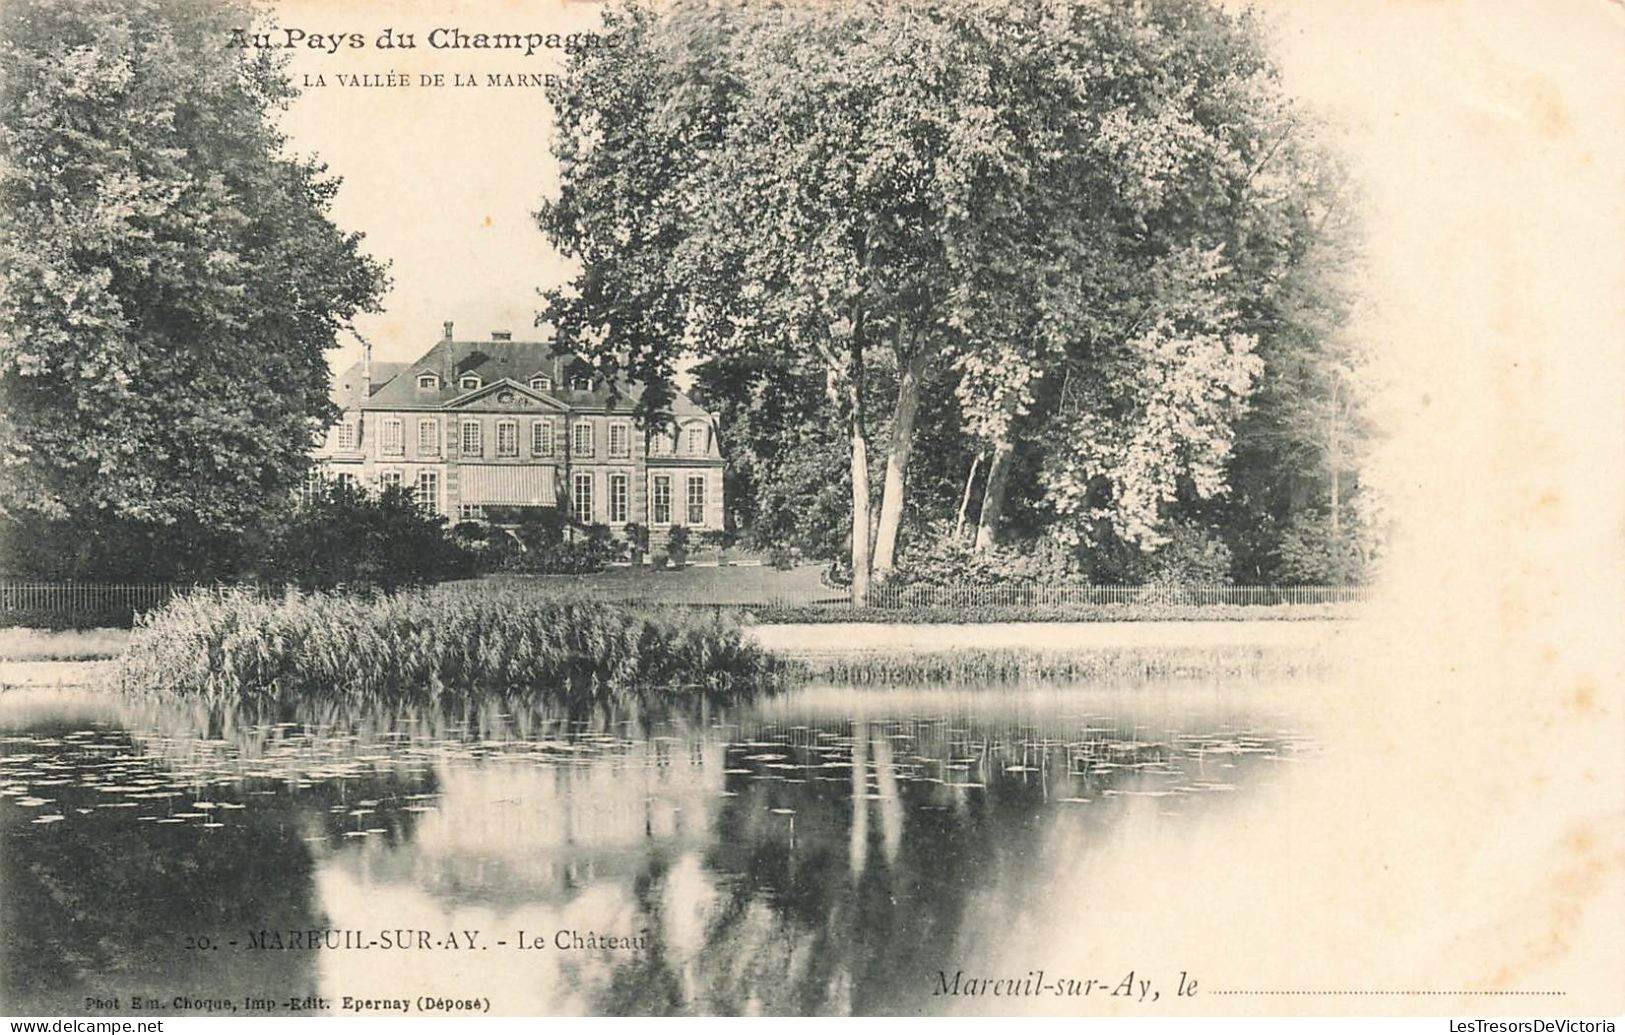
x,y
763,181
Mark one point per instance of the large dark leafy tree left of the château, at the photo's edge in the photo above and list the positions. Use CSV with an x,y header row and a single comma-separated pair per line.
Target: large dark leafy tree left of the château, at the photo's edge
x,y
170,284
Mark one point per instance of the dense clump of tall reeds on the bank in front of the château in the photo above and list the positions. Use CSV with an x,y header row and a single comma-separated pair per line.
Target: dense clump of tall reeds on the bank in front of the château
x,y
240,647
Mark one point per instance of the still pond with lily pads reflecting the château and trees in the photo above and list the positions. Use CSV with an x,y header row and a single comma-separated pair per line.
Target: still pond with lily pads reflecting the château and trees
x,y
825,852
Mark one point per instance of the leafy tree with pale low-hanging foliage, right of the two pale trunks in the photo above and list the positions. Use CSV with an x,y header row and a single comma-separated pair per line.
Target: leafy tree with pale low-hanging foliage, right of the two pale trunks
x,y
1148,227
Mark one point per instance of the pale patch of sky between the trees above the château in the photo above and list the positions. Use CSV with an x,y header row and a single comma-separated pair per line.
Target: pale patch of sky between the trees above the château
x,y
443,181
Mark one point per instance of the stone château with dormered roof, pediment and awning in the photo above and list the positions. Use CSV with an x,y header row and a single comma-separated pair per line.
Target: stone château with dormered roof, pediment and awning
x,y
501,423
